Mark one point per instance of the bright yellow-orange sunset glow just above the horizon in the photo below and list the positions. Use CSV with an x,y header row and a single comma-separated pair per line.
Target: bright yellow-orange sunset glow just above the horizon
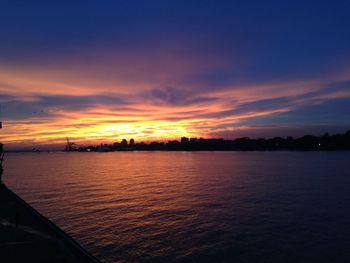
x,y
93,131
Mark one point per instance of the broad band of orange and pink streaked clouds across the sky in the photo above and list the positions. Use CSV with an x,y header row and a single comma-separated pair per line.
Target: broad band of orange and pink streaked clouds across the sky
x,y
108,102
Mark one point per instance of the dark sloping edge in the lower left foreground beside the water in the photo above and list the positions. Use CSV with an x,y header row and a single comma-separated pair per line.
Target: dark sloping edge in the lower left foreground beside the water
x,y
27,236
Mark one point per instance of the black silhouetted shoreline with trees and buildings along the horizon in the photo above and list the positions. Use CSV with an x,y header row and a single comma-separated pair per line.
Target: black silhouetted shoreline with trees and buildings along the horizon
x,y
325,142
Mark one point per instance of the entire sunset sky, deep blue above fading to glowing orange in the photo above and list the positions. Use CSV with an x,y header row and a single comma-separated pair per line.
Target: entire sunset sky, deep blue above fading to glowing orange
x,y
101,71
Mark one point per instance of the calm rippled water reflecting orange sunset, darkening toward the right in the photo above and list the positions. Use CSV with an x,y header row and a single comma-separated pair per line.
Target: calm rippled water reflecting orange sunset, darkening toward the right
x,y
194,206
